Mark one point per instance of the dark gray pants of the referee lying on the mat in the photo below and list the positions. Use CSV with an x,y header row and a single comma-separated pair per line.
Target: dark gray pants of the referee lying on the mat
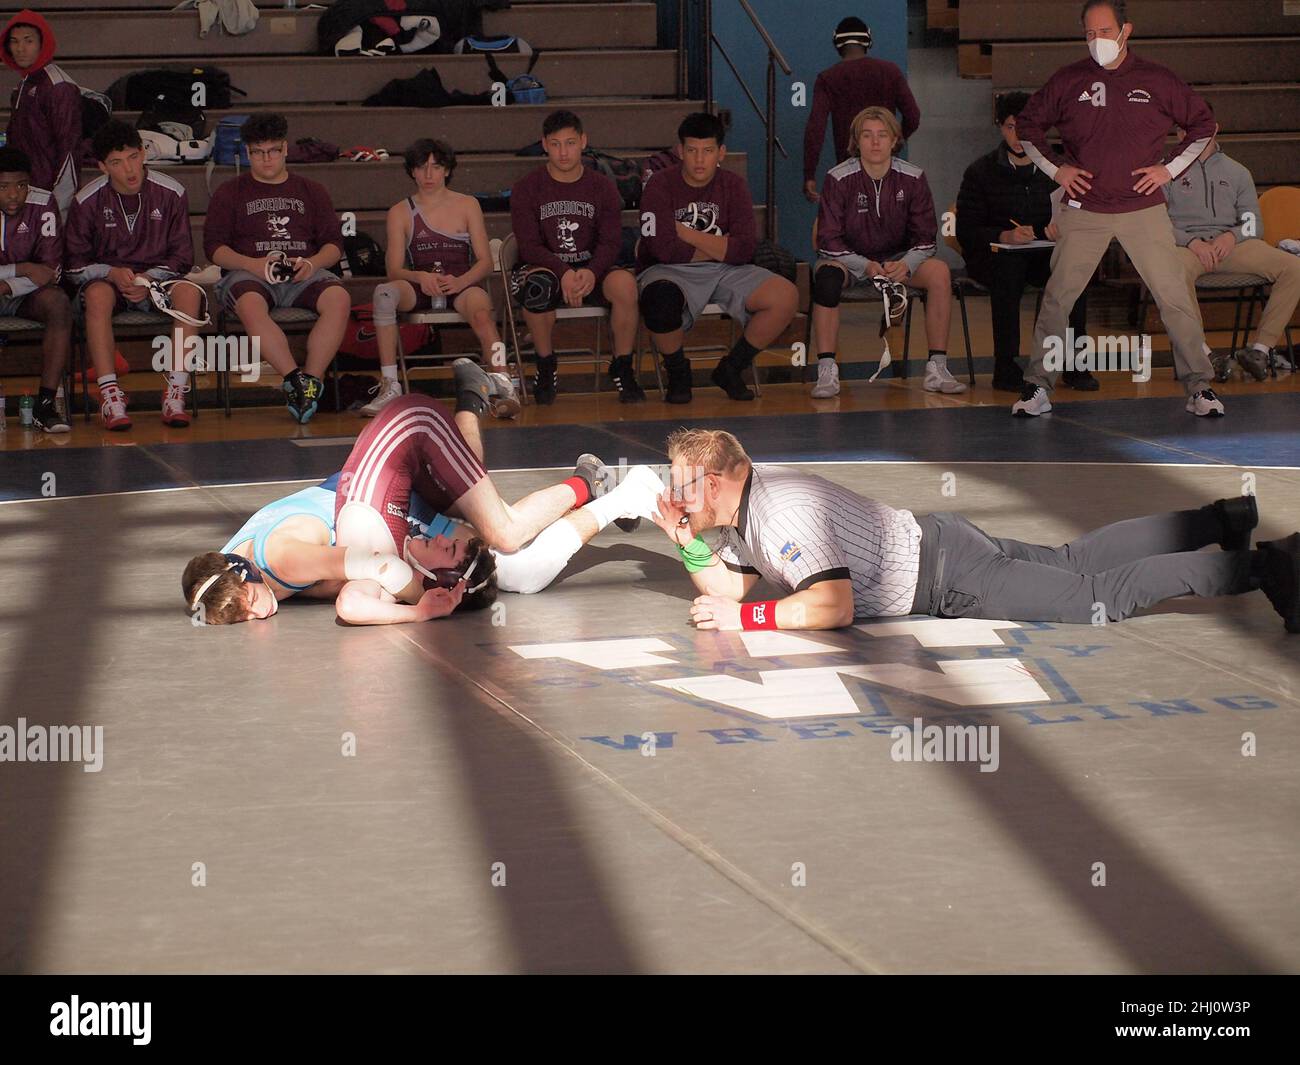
x,y
1119,570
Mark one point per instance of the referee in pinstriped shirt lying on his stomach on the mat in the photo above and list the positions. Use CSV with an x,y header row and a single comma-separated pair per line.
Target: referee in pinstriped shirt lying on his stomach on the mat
x,y
839,556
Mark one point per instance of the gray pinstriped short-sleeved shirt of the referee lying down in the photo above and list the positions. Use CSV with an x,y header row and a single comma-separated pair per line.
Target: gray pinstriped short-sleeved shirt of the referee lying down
x,y
798,530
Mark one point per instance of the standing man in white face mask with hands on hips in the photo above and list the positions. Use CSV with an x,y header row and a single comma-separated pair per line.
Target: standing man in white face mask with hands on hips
x,y
1113,112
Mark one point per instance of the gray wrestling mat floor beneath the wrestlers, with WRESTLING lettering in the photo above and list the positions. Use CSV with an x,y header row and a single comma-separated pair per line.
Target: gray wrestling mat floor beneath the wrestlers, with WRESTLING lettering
x,y
582,782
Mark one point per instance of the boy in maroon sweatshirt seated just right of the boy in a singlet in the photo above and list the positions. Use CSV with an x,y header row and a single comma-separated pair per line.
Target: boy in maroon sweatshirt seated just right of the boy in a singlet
x,y
567,219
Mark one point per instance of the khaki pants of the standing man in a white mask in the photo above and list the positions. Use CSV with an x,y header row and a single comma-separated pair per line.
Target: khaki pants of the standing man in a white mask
x,y
1149,239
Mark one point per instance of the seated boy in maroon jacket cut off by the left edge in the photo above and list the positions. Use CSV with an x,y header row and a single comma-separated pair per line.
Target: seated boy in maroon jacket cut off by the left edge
x,y
32,253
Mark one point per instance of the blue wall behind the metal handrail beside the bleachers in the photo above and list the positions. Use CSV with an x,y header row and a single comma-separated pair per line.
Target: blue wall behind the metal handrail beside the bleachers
x,y
803,31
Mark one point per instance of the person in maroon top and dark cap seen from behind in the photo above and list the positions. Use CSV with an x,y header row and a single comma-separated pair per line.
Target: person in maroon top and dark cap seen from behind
x,y
842,92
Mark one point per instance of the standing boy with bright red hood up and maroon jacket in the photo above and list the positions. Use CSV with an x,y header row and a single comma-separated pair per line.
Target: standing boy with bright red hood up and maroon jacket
x,y
45,119
